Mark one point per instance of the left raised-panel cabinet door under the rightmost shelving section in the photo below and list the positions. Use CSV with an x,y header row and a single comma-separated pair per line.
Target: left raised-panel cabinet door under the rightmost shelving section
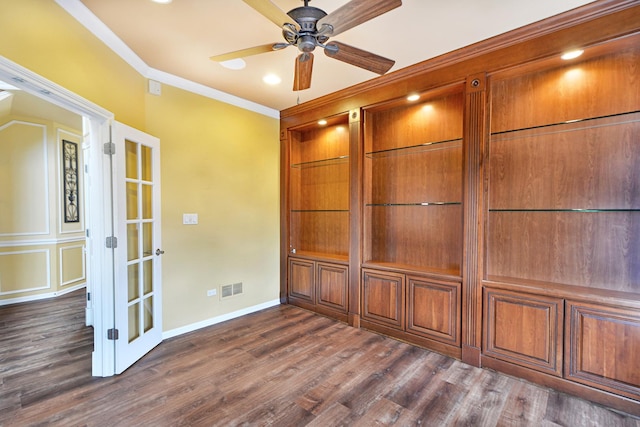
x,y
524,329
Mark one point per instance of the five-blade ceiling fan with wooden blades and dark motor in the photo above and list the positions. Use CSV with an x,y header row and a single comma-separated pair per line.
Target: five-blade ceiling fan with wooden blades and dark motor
x,y
308,27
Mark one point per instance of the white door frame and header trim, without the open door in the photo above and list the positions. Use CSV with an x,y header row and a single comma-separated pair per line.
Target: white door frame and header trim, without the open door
x,y
98,202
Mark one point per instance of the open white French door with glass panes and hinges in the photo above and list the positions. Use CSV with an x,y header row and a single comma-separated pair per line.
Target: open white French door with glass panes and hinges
x,y
137,256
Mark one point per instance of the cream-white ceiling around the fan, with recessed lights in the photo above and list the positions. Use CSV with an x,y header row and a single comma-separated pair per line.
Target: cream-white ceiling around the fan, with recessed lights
x,y
178,39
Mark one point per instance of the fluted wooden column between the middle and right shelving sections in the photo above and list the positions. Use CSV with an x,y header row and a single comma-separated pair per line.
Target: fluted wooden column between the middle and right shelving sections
x,y
474,136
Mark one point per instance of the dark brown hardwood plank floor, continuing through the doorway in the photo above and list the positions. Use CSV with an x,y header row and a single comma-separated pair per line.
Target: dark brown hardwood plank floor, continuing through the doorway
x,y
283,366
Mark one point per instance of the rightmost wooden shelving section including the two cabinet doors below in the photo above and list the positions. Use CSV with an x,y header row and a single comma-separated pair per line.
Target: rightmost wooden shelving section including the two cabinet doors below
x,y
563,219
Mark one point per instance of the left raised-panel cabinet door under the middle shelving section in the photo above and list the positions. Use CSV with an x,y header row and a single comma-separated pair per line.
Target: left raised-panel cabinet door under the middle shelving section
x,y
383,297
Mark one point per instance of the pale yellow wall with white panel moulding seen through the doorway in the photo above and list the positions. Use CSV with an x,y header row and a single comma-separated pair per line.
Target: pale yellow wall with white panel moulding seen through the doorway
x,y
39,253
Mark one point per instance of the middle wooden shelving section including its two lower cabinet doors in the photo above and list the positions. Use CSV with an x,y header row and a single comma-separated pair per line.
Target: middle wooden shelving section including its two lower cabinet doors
x,y
413,218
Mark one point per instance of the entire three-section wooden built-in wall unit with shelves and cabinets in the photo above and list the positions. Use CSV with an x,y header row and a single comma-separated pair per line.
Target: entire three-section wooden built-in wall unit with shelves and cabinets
x,y
497,218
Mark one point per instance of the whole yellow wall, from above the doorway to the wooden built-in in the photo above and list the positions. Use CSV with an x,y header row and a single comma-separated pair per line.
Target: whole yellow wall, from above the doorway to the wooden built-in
x,y
217,160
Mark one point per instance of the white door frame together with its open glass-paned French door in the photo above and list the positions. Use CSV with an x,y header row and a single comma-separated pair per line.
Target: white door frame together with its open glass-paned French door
x,y
103,206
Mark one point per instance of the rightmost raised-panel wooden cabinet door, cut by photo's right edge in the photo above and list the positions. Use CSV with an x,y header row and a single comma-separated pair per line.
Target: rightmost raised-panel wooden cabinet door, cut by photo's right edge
x,y
604,347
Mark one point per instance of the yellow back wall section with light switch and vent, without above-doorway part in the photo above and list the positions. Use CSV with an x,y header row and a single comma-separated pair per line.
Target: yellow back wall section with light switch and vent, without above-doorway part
x,y
220,162
